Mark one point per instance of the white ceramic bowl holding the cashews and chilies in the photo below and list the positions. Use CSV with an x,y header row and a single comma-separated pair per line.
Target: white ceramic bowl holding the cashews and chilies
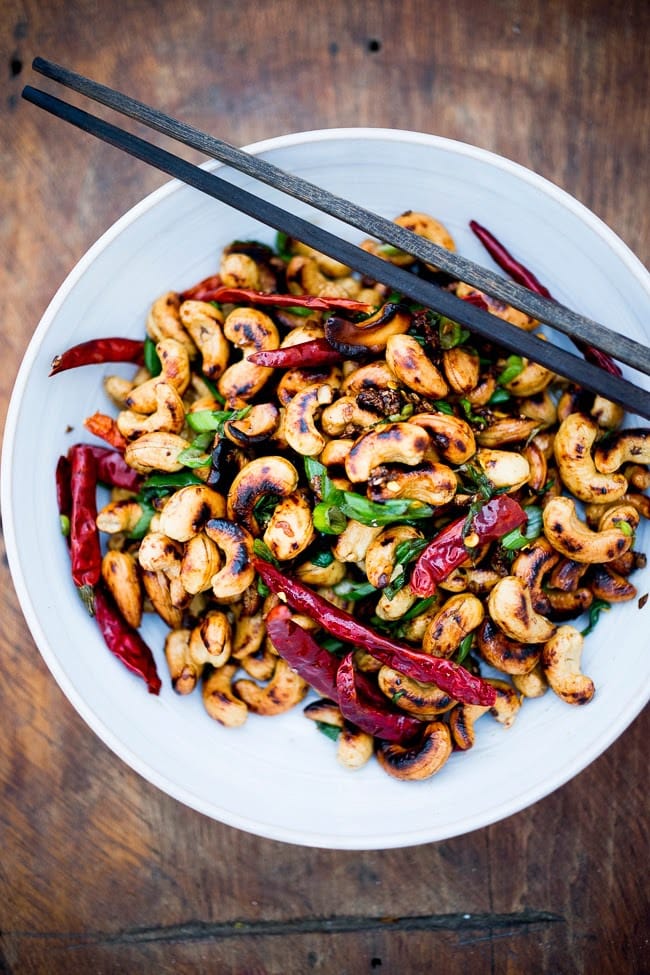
x,y
279,777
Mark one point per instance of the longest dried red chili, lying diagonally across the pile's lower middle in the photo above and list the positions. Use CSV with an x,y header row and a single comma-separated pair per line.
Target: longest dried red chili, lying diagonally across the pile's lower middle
x,y
448,676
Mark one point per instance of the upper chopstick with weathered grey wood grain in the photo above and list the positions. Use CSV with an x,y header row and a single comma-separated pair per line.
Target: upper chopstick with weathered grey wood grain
x,y
578,327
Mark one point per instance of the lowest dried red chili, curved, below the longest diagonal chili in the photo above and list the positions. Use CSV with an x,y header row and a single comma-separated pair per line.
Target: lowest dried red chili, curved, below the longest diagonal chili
x,y
365,706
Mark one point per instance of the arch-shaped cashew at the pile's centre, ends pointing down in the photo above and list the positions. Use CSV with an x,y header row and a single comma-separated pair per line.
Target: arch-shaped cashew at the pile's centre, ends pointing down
x,y
401,443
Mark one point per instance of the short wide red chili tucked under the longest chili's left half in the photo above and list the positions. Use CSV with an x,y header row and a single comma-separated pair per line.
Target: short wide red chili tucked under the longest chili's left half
x,y
298,647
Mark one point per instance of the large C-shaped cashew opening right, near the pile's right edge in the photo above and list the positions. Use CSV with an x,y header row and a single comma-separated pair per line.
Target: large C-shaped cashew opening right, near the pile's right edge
x,y
572,447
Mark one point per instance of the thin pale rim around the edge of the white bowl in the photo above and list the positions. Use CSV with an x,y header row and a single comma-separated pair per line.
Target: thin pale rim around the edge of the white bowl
x,y
106,735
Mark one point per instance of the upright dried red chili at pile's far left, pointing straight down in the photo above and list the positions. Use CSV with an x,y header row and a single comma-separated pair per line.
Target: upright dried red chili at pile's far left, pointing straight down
x,y
85,550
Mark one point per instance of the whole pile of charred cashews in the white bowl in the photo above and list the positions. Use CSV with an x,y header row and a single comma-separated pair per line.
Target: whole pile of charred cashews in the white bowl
x,y
547,443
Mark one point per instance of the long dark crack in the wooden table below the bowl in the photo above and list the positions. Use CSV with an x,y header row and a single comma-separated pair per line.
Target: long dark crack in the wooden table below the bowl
x,y
213,931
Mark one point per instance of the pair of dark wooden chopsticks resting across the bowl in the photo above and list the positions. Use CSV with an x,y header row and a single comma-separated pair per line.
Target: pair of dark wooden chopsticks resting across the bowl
x,y
571,367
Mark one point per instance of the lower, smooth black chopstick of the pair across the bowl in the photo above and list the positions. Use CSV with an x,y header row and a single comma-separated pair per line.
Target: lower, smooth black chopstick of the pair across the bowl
x,y
591,377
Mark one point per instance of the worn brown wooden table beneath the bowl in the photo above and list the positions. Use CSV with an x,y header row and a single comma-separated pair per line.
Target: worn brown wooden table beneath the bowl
x,y
99,871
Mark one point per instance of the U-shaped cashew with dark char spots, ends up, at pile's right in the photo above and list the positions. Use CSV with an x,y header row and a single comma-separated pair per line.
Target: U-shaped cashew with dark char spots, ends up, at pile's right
x,y
573,538
